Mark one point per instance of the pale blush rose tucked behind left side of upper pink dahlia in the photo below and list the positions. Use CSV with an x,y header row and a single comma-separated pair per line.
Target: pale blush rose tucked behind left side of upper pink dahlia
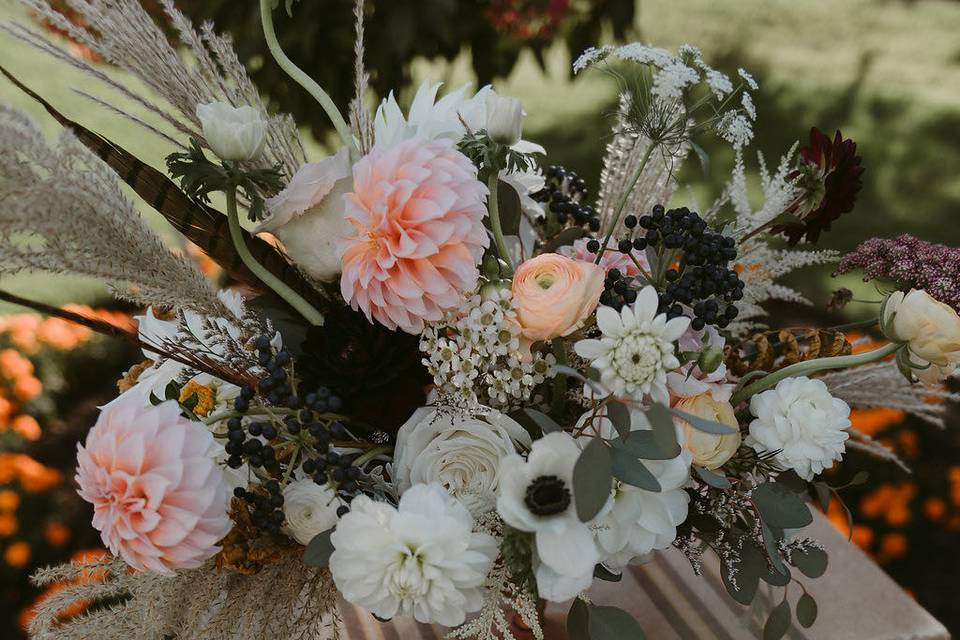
x,y
307,216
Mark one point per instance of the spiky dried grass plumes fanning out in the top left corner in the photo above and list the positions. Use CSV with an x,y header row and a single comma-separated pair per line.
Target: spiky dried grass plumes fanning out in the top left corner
x,y
124,34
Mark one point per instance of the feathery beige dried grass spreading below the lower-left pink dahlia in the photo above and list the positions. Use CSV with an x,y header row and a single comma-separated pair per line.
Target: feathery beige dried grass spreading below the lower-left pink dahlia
x,y
284,601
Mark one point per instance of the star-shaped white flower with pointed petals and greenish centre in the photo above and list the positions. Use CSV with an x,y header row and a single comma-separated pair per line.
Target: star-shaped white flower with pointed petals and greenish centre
x,y
636,350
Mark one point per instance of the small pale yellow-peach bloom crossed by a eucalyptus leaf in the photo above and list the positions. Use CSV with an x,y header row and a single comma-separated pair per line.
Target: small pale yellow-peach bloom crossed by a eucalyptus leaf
x,y
709,450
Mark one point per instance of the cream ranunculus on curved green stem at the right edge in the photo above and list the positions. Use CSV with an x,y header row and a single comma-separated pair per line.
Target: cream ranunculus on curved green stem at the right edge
x,y
929,327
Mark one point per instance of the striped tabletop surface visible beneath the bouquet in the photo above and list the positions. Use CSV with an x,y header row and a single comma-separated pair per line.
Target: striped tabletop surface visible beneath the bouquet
x,y
856,601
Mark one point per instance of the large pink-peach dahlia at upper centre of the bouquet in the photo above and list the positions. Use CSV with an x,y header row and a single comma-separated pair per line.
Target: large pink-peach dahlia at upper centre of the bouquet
x,y
417,213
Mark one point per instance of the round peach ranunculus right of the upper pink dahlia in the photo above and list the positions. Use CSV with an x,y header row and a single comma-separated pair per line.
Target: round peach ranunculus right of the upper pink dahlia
x,y
554,294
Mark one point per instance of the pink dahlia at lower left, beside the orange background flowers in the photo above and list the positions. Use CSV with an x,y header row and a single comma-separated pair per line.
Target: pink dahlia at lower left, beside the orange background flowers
x,y
159,501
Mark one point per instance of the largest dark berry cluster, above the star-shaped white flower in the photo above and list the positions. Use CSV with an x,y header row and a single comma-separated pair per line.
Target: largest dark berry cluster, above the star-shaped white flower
x,y
702,279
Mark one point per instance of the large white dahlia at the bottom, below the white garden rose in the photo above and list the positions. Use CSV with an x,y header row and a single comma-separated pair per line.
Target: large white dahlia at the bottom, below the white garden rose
x,y
421,559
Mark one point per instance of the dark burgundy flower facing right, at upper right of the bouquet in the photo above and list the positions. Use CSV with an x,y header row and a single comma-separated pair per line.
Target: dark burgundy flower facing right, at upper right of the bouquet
x,y
830,177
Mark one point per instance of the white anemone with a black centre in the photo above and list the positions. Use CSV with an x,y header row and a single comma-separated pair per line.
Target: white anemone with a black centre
x,y
536,495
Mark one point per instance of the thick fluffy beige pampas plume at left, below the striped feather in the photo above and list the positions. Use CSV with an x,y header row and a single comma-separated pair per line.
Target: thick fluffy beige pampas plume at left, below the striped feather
x,y
62,211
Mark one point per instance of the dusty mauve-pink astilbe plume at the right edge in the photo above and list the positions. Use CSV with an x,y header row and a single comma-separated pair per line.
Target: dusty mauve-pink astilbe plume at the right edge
x,y
911,263
